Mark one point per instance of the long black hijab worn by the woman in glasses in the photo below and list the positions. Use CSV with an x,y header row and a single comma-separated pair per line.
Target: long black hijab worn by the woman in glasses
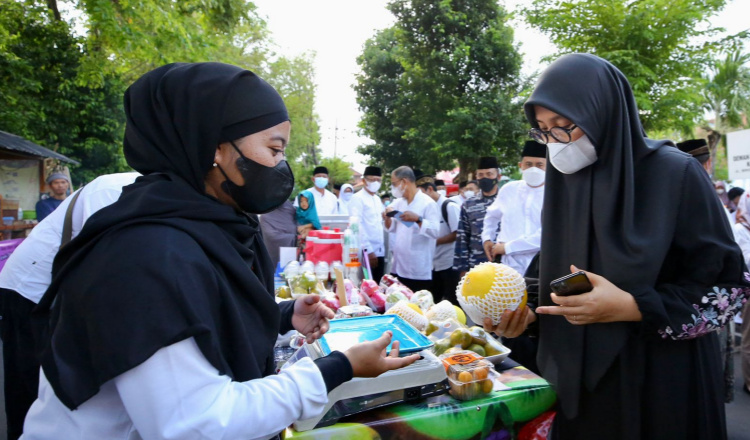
x,y
614,218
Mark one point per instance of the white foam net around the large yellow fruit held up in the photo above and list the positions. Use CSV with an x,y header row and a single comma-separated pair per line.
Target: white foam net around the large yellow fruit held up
x,y
506,292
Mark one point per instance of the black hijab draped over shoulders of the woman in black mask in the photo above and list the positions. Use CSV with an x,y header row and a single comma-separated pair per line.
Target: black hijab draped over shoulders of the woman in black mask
x,y
167,262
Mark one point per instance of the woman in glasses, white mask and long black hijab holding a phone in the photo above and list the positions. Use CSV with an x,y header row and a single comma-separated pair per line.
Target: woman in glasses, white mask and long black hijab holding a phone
x,y
637,357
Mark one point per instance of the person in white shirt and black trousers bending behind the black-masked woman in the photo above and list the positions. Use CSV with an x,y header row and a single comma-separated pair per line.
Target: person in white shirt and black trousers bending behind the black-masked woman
x,y
23,281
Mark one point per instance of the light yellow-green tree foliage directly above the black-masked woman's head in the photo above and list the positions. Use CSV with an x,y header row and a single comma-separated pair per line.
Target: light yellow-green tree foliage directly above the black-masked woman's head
x,y
131,37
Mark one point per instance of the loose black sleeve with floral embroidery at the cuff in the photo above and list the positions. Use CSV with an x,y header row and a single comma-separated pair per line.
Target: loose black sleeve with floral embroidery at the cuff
x,y
704,279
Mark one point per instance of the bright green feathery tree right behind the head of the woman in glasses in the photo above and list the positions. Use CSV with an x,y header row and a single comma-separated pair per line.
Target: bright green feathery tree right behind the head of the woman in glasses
x,y
660,45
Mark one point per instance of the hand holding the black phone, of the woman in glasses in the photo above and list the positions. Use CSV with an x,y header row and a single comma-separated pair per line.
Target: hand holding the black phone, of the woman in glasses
x,y
605,303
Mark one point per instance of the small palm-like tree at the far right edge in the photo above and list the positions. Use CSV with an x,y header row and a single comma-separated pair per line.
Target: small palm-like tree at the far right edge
x,y
726,97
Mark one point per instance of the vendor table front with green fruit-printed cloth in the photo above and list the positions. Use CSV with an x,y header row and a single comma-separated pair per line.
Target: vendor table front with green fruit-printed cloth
x,y
497,416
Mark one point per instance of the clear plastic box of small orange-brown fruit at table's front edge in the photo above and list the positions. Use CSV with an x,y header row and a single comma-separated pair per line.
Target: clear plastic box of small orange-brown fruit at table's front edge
x,y
470,376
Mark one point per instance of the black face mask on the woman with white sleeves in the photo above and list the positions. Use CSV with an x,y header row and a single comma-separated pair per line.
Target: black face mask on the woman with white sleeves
x,y
265,188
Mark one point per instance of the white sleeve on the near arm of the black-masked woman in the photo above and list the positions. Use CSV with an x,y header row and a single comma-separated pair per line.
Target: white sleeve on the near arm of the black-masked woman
x,y
178,394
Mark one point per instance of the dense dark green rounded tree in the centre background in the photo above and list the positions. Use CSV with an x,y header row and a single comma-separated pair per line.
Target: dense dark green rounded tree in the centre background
x,y
439,86
